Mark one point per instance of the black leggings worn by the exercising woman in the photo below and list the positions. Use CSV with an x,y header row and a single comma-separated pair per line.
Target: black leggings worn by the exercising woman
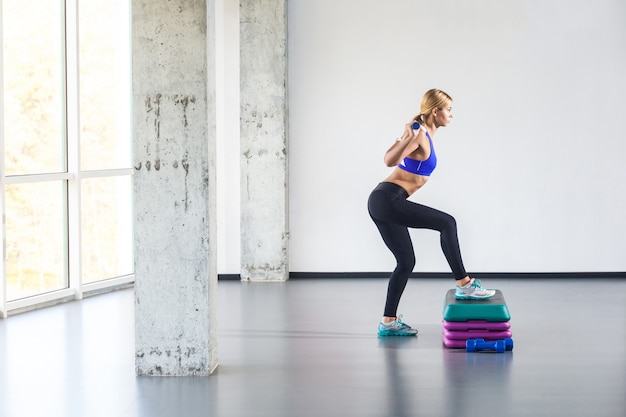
x,y
394,214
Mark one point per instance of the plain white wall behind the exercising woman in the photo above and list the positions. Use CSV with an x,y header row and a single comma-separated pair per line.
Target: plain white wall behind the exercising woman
x,y
531,167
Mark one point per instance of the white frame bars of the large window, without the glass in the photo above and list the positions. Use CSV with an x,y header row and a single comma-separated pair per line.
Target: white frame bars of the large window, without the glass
x,y
72,177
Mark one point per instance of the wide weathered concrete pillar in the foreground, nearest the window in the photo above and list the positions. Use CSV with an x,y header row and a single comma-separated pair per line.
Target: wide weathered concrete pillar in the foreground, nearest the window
x,y
174,186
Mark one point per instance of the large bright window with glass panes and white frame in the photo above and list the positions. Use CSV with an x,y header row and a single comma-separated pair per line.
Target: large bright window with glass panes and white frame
x,y
66,139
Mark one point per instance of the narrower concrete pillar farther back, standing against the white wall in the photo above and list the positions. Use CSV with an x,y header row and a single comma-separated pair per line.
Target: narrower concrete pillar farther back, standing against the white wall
x,y
264,172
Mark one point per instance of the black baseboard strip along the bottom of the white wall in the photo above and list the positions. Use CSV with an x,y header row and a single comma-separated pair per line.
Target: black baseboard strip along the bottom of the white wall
x,y
446,275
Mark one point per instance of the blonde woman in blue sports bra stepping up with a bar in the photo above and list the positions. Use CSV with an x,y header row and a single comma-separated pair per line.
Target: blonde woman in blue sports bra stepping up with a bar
x,y
413,156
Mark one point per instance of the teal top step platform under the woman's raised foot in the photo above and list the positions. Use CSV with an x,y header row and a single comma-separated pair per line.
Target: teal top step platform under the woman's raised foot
x,y
493,309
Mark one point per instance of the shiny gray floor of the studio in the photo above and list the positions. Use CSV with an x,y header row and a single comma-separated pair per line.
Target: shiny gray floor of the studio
x,y
308,348
